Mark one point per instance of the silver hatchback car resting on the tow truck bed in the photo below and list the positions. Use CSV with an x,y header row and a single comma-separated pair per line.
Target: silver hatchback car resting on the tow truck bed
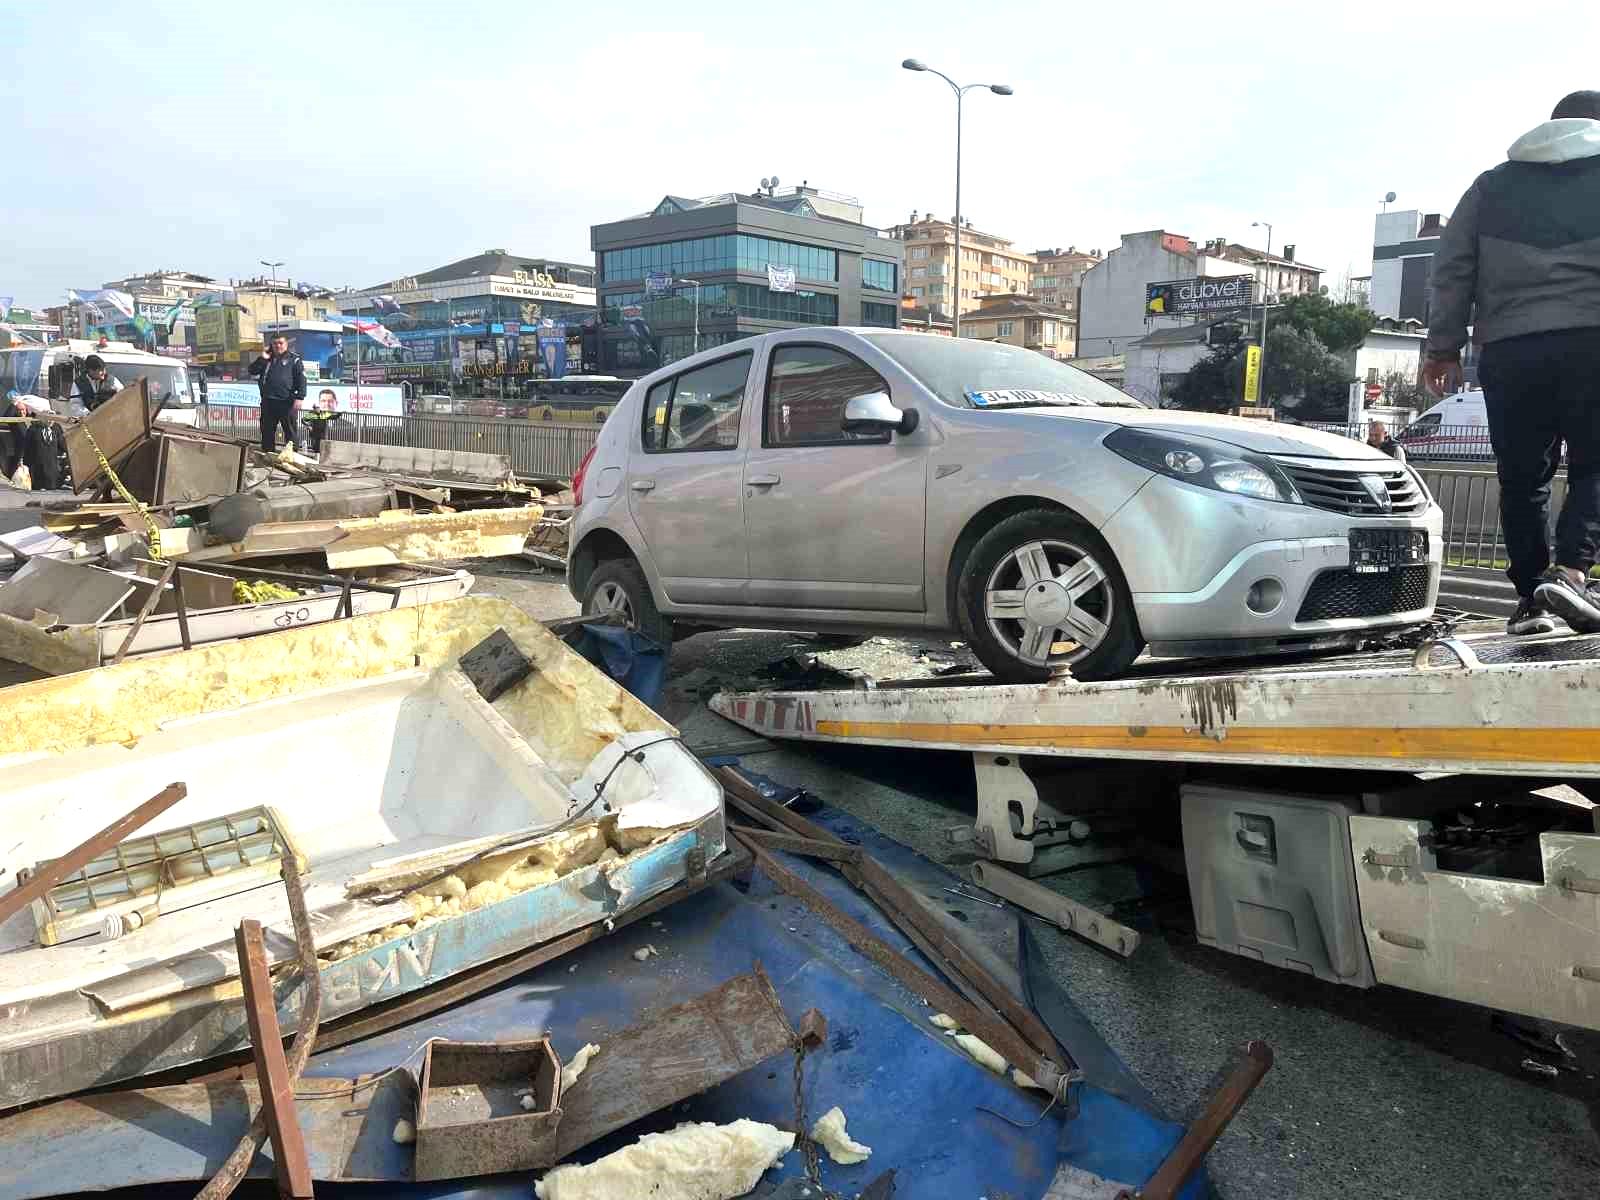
x,y
876,481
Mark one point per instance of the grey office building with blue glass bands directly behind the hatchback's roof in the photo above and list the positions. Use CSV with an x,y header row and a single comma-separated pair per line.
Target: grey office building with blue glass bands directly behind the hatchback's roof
x,y
711,271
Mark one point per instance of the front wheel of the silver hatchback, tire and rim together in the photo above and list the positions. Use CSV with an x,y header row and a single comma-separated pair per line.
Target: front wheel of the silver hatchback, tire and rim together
x,y
1042,594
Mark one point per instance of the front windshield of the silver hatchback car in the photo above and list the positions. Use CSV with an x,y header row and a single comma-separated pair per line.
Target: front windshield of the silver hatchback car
x,y
993,375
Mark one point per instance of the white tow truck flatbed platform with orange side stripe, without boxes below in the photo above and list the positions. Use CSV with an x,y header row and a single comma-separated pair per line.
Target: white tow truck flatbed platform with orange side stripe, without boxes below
x,y
1476,703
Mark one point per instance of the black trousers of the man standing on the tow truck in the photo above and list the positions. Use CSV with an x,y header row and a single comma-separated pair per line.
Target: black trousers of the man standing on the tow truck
x,y
1540,391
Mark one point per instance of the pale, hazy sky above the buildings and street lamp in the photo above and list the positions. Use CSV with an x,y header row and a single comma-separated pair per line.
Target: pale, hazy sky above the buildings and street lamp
x,y
366,142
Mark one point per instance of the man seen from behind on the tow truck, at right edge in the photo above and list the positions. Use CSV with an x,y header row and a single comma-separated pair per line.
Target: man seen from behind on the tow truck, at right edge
x,y
1521,263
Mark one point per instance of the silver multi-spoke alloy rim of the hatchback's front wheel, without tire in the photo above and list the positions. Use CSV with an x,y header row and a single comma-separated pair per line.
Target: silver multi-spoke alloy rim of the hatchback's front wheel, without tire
x,y
1049,602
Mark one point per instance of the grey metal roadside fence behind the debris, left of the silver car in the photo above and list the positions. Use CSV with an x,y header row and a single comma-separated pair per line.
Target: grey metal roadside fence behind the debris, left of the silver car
x,y
535,449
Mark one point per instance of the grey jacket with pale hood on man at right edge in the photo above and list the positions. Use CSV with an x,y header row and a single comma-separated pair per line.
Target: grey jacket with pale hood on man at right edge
x,y
1522,250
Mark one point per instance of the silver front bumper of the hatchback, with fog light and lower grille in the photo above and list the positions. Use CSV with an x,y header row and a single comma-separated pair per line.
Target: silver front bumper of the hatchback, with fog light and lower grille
x,y
1305,590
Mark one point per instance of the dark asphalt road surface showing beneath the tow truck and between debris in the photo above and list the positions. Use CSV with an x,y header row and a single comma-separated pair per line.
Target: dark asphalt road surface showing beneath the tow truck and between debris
x,y
1375,1094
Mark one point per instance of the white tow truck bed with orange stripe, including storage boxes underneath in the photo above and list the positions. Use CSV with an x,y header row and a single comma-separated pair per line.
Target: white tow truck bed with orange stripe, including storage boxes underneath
x,y
1354,889
